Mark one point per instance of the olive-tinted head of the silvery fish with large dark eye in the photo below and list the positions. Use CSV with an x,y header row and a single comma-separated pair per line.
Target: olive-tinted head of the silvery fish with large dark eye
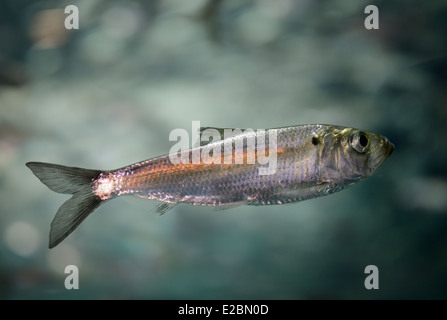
x,y
349,155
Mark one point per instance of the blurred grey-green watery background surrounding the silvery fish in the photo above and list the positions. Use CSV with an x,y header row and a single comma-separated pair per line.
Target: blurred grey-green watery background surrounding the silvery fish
x,y
108,95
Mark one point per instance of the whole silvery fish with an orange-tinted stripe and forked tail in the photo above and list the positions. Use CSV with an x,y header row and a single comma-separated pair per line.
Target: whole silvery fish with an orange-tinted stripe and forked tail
x,y
311,161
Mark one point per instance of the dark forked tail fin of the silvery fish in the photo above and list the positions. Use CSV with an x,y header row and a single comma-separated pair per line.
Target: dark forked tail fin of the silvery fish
x,y
68,180
